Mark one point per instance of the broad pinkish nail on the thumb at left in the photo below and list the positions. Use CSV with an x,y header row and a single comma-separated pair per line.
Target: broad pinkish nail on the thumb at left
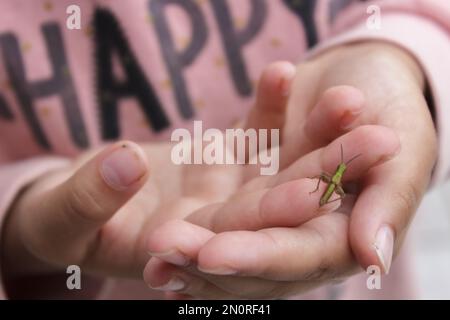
x,y
122,167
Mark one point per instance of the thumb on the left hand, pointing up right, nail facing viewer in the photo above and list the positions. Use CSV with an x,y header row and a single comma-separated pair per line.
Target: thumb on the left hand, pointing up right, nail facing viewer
x,y
66,219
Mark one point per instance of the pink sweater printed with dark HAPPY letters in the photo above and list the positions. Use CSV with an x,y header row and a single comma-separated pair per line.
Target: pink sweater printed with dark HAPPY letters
x,y
150,66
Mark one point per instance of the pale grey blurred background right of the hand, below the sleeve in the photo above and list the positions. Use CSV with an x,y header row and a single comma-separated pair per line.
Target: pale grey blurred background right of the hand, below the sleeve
x,y
430,236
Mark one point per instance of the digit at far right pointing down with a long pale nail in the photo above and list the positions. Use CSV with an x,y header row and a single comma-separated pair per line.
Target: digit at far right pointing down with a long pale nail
x,y
386,206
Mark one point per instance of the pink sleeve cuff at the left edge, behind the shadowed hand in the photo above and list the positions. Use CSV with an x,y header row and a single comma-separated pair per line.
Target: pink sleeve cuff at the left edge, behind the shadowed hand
x,y
13,178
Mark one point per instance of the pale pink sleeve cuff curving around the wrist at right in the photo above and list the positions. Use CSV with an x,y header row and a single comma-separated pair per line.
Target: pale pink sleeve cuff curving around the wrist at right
x,y
423,29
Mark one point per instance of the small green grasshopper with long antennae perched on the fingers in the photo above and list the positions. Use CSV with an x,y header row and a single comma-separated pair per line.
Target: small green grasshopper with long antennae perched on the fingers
x,y
334,182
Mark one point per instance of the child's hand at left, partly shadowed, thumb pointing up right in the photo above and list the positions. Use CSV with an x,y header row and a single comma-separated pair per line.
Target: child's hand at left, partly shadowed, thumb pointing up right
x,y
98,213
